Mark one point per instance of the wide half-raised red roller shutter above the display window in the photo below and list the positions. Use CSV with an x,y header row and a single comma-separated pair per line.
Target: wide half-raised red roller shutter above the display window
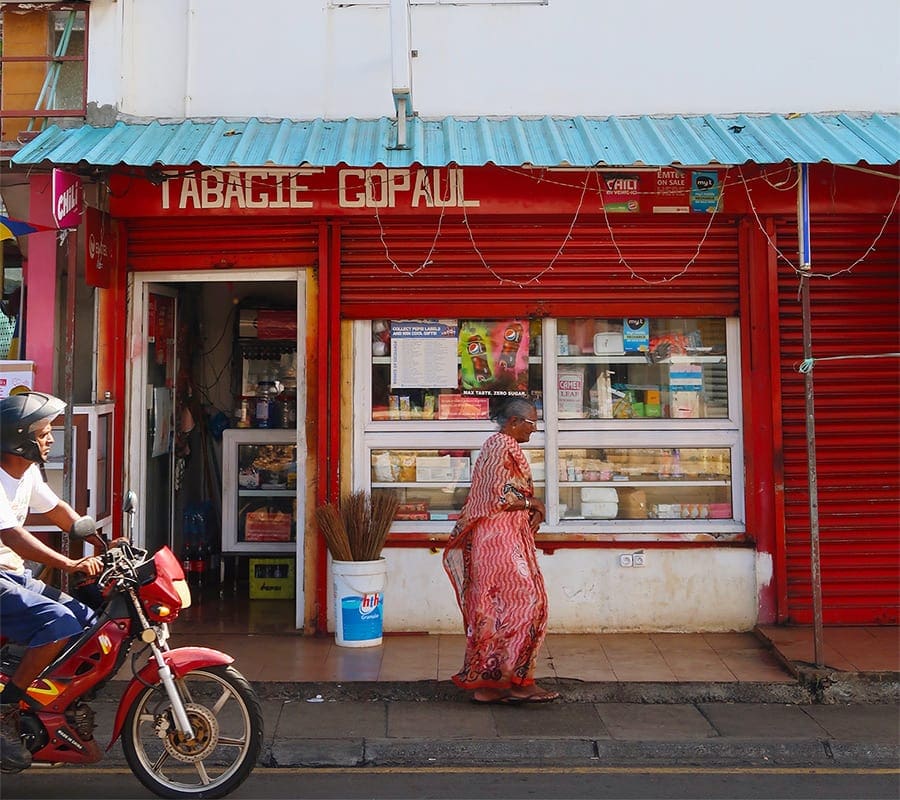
x,y
679,266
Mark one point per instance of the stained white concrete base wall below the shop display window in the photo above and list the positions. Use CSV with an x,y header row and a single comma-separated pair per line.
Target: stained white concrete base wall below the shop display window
x,y
713,589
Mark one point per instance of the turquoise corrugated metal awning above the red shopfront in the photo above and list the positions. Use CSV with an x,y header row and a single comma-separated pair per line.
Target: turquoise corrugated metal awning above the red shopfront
x,y
509,141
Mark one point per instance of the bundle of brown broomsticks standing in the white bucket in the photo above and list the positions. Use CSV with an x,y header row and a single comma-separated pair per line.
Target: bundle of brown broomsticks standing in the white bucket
x,y
357,529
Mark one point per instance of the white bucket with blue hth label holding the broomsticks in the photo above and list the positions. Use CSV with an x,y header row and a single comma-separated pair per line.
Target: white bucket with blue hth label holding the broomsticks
x,y
358,602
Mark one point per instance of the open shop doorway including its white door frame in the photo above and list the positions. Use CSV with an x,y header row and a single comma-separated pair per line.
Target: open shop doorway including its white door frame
x,y
215,431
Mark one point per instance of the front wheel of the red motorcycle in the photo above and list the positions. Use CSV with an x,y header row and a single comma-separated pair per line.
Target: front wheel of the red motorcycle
x,y
226,718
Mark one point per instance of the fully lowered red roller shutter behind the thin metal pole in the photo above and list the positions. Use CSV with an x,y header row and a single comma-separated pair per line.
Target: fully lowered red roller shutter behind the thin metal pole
x,y
856,421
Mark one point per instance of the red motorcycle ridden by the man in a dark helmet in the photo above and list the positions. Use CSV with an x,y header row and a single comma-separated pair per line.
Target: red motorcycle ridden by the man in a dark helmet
x,y
191,724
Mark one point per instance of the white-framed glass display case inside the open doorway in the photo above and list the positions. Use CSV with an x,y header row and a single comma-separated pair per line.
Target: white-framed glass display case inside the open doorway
x,y
259,491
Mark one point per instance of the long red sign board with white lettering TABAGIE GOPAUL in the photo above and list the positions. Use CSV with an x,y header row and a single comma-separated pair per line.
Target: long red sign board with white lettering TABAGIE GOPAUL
x,y
456,191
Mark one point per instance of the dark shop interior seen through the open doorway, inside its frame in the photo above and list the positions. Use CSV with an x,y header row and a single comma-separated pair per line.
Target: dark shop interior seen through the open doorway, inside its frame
x,y
232,454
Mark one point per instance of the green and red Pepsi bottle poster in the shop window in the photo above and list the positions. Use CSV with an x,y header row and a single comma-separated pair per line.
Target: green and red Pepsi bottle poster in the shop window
x,y
494,357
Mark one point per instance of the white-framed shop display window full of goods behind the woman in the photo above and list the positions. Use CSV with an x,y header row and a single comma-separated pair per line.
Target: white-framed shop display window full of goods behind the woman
x,y
641,436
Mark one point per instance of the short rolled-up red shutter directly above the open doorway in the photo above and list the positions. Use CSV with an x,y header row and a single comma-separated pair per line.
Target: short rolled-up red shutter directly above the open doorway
x,y
193,243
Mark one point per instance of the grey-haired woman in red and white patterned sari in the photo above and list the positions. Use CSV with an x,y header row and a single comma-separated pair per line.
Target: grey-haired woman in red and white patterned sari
x,y
492,565
